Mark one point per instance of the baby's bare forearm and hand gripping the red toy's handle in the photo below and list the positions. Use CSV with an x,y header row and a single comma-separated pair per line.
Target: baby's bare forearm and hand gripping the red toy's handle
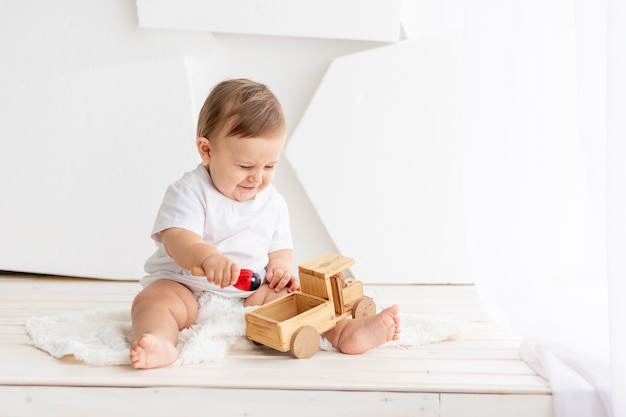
x,y
189,250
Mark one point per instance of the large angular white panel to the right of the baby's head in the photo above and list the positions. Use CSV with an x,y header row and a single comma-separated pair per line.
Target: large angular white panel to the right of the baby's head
x,y
378,153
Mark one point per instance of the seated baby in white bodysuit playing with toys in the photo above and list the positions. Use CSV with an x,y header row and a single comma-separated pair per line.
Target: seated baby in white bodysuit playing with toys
x,y
223,216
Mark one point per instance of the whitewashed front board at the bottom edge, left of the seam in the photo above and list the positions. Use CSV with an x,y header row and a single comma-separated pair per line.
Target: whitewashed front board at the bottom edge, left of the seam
x,y
191,402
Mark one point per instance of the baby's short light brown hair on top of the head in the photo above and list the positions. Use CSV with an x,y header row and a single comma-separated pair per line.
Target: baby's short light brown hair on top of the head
x,y
240,108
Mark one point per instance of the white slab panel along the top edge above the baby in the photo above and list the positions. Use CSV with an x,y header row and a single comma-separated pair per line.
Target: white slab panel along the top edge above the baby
x,y
372,20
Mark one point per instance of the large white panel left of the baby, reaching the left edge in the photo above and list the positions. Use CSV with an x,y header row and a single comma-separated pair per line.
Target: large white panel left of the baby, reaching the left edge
x,y
85,156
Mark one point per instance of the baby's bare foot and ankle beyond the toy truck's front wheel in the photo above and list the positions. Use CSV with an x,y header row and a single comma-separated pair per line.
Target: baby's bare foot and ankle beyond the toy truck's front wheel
x,y
355,336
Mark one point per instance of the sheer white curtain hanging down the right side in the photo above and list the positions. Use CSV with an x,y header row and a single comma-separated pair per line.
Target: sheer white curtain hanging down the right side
x,y
544,187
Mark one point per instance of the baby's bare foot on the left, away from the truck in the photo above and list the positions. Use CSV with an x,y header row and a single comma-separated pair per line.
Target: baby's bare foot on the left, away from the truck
x,y
150,351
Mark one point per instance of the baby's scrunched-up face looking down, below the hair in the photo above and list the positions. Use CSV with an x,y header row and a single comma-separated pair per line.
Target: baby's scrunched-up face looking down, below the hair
x,y
243,167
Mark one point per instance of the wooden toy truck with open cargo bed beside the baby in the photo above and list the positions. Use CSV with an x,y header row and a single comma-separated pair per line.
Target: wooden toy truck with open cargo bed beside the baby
x,y
294,322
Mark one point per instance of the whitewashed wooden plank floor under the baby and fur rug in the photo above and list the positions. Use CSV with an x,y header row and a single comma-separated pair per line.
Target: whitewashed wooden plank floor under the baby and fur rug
x,y
481,375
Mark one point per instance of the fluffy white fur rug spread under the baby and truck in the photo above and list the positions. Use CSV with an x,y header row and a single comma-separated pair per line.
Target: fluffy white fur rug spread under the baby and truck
x,y
102,336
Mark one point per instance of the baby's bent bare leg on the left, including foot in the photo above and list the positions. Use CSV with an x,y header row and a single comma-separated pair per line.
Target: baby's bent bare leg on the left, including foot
x,y
159,311
